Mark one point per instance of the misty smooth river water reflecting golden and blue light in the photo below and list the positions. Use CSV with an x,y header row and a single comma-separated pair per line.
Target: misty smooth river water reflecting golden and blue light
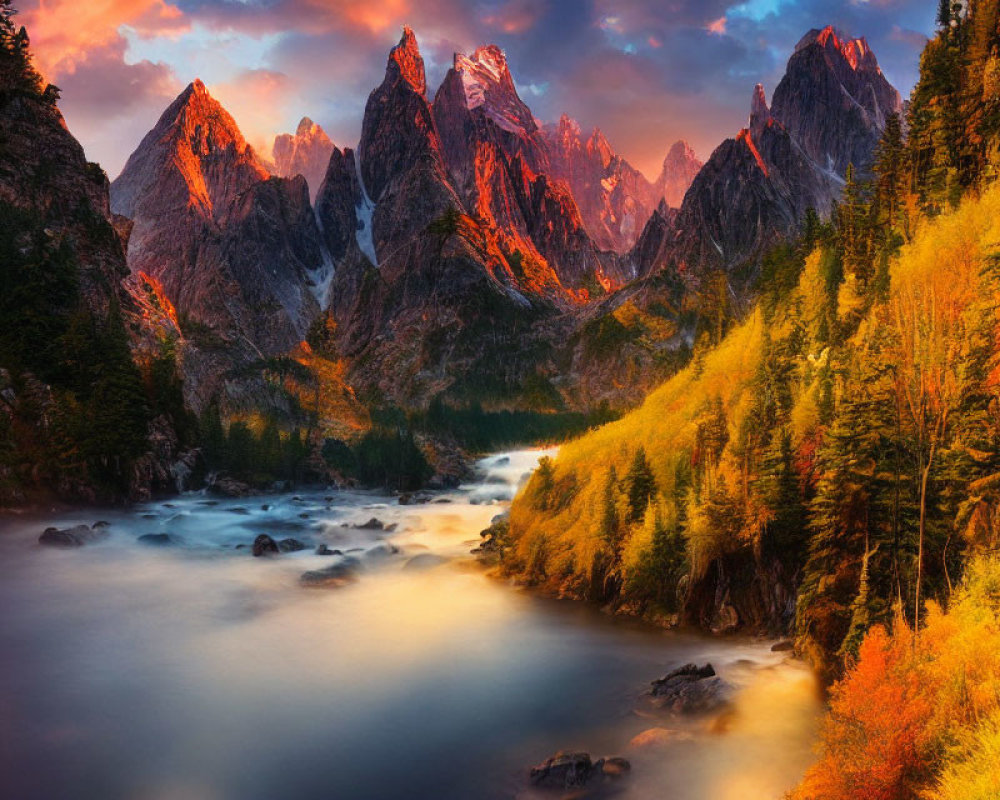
x,y
196,672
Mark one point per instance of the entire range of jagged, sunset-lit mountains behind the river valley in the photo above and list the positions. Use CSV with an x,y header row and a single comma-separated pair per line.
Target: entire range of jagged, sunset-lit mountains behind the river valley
x,y
463,249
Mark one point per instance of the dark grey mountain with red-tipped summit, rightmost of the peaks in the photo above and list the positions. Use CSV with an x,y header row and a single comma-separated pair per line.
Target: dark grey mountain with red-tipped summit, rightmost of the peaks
x,y
828,112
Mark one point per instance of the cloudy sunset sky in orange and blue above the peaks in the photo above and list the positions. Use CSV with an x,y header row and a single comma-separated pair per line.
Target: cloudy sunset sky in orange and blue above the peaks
x,y
647,72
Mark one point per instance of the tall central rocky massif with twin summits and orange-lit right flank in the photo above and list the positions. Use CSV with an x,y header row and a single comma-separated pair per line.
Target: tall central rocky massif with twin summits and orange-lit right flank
x,y
439,283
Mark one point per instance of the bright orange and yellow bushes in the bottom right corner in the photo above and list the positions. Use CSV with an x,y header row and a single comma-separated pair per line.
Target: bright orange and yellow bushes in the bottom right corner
x,y
897,716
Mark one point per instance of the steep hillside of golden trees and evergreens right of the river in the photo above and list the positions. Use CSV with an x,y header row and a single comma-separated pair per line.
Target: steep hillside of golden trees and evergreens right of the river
x,y
834,462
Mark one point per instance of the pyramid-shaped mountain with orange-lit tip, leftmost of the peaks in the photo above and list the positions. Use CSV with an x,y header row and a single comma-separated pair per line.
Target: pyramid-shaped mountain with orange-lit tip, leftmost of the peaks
x,y
237,252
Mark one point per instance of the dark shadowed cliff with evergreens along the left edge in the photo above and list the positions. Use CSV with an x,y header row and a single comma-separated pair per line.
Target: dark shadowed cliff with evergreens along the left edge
x,y
61,417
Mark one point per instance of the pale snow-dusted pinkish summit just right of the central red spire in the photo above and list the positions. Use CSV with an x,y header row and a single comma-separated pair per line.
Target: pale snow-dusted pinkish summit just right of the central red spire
x,y
487,83
